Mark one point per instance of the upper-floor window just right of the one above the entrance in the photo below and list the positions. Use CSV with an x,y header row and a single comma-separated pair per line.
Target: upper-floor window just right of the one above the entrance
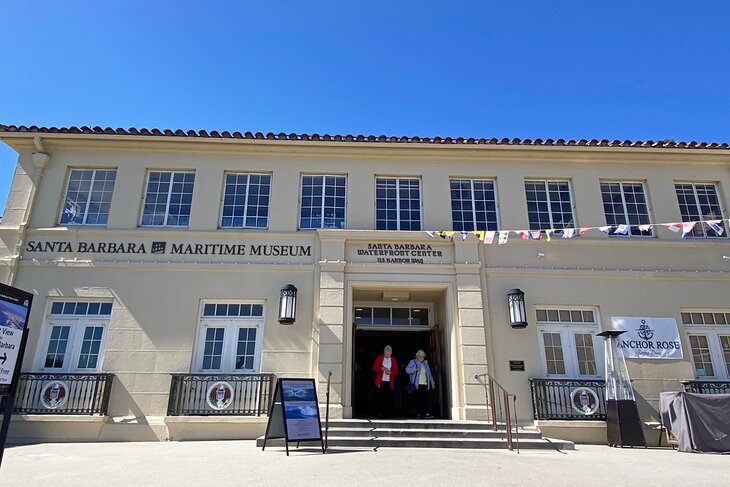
x,y
473,204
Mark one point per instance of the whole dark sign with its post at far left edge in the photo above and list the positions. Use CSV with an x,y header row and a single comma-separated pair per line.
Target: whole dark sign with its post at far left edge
x,y
14,311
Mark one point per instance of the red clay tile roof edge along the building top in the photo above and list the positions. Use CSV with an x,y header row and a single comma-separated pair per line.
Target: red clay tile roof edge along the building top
x,y
214,134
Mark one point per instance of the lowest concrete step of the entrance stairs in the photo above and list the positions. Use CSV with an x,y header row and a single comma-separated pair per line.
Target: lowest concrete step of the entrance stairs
x,y
393,442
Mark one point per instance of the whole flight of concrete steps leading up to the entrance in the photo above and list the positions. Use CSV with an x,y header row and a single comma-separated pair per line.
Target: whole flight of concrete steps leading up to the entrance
x,y
434,433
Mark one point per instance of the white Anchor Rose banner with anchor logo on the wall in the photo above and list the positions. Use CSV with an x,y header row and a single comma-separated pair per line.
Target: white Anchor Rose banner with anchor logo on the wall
x,y
648,337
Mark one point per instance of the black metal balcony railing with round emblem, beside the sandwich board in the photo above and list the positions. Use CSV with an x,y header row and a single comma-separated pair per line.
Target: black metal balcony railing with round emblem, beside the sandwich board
x,y
220,394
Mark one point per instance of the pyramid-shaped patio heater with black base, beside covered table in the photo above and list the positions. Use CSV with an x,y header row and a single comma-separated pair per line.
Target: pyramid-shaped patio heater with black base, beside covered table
x,y
623,426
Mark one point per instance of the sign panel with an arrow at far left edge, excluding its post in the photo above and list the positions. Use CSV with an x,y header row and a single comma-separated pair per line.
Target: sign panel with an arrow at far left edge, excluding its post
x,y
14,310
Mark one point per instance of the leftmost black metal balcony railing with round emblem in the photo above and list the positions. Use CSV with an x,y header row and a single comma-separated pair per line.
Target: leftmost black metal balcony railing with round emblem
x,y
84,394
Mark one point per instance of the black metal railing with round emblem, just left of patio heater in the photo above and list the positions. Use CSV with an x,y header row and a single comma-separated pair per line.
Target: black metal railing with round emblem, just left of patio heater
x,y
571,399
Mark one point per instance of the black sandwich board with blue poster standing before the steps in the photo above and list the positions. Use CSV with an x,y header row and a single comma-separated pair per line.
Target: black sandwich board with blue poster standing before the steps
x,y
294,413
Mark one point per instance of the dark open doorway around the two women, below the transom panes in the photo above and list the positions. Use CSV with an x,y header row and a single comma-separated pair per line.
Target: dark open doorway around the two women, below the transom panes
x,y
369,344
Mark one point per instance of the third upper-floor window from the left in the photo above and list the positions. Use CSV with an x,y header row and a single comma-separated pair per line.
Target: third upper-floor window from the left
x,y
246,200
